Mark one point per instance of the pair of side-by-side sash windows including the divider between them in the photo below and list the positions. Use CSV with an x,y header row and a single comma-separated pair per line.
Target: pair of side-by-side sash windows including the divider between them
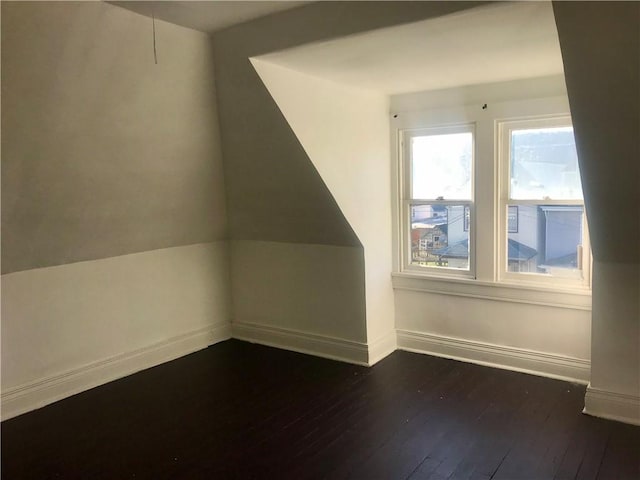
x,y
491,197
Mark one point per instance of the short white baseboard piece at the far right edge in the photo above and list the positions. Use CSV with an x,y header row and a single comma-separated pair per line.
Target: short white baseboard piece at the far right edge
x,y
613,406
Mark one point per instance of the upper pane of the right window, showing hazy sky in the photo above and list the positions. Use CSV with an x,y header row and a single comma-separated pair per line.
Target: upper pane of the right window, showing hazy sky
x,y
544,164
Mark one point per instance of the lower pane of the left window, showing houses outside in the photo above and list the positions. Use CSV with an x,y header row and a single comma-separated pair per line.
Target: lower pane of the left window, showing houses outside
x,y
438,236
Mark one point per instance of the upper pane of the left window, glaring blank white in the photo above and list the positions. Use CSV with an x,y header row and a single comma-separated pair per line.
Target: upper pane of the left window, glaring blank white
x,y
441,166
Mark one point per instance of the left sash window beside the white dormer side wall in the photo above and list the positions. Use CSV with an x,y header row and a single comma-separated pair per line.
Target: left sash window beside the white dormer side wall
x,y
438,198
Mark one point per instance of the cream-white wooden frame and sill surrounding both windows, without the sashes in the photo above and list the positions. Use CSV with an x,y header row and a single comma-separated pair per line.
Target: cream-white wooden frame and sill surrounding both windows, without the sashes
x,y
487,280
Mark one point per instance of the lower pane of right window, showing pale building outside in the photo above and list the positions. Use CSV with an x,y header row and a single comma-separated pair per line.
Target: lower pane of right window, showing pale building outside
x,y
547,240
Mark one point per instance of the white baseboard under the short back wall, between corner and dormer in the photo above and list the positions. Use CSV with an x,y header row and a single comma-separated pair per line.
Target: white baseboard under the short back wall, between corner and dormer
x,y
302,342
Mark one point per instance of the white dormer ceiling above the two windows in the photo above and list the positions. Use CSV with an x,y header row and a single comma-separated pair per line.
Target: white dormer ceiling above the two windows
x,y
494,43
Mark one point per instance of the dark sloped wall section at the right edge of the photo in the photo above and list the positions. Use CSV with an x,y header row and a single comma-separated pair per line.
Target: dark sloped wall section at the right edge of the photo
x,y
600,43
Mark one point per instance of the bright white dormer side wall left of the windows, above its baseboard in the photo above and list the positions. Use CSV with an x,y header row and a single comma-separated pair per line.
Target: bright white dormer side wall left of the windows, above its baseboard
x,y
344,131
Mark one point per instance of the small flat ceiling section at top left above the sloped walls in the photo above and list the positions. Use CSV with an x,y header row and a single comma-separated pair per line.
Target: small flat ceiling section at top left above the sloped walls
x,y
206,16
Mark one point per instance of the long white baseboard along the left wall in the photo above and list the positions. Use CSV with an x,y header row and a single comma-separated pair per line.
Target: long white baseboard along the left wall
x,y
27,397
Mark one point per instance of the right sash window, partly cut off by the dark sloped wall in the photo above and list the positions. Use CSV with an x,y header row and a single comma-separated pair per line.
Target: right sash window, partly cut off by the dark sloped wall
x,y
542,221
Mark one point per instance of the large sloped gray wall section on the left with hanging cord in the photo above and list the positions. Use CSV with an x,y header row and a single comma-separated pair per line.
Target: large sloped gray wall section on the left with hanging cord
x,y
104,153
